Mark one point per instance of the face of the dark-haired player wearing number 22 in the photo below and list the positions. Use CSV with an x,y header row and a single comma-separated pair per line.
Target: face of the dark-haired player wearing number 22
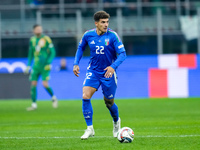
x,y
102,26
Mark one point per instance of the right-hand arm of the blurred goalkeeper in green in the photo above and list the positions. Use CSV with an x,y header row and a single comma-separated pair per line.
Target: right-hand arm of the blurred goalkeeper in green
x,y
52,53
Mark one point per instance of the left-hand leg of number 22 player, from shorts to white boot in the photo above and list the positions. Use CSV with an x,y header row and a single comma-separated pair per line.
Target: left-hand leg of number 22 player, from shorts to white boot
x,y
90,86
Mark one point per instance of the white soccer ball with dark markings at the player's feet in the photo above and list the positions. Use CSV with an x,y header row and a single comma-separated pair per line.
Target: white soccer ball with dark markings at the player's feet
x,y
125,135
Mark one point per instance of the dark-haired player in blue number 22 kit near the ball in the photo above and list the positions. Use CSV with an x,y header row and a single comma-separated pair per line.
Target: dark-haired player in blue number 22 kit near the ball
x,y
104,45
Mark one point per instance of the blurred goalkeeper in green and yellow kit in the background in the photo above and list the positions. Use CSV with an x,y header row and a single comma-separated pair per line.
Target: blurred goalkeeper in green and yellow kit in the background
x,y
42,52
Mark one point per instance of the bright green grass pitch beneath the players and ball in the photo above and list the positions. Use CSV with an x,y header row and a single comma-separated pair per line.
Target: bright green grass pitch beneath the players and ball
x,y
158,124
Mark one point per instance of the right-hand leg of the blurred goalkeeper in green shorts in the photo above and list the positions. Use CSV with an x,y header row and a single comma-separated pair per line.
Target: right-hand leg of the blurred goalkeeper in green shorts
x,y
45,83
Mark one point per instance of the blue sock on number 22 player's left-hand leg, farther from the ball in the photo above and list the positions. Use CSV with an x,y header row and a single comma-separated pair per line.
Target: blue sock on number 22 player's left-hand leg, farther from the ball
x,y
87,111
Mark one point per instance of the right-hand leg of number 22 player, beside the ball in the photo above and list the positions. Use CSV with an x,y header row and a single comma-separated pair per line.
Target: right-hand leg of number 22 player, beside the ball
x,y
109,87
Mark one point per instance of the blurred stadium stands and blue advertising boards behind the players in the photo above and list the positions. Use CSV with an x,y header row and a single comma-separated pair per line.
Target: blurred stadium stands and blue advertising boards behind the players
x,y
161,38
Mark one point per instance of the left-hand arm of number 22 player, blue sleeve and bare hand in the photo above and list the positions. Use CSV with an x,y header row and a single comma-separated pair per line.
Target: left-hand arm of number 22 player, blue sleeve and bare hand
x,y
79,54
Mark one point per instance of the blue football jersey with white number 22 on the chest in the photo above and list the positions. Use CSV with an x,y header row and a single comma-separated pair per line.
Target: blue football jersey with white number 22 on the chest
x,y
103,49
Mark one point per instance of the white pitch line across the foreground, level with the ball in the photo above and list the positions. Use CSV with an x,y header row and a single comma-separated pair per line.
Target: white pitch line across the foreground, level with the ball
x,y
71,137
